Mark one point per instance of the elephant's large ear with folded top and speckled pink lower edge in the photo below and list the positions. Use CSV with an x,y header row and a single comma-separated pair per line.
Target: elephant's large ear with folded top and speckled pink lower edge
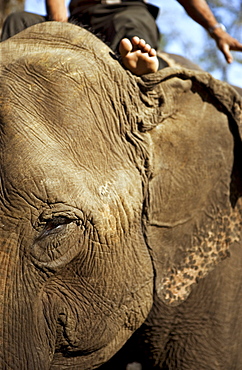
x,y
193,206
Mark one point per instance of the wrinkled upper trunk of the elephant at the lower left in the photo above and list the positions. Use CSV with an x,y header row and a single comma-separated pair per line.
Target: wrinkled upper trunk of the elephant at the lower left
x,y
19,338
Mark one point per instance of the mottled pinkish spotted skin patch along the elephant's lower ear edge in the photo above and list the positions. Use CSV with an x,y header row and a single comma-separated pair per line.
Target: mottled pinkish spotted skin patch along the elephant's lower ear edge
x,y
209,247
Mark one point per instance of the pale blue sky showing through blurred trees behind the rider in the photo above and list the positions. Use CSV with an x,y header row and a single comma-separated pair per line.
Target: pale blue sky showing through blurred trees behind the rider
x,y
172,14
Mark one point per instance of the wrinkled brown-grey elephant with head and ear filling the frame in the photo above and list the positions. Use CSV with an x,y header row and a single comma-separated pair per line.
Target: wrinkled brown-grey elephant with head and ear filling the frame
x,y
120,211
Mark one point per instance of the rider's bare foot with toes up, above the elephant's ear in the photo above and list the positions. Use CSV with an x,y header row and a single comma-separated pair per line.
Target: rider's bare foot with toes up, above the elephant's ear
x,y
137,56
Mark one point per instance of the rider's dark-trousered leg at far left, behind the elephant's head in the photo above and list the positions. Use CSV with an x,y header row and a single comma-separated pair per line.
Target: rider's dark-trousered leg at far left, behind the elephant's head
x,y
17,22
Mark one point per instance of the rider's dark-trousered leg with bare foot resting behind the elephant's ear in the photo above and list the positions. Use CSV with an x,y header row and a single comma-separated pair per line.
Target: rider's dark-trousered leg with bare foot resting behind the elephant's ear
x,y
119,24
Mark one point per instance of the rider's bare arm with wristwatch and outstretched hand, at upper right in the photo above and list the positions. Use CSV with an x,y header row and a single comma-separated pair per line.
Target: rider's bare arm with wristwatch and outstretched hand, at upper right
x,y
200,12
